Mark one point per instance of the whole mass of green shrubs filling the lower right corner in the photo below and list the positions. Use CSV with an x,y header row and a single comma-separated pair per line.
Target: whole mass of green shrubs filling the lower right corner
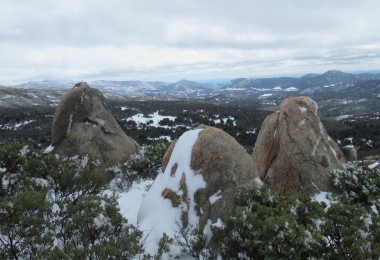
x,y
266,224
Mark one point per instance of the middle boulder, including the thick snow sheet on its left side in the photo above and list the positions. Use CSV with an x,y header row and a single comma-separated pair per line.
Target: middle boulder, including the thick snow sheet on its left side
x,y
203,172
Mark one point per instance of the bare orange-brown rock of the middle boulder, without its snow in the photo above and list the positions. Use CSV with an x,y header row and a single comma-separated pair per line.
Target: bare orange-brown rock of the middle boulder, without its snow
x,y
226,168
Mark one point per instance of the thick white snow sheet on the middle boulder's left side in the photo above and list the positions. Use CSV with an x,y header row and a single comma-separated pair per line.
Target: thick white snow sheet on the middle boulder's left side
x,y
159,212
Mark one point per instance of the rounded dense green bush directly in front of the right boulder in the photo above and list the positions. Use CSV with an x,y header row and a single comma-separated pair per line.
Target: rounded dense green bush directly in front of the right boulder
x,y
268,225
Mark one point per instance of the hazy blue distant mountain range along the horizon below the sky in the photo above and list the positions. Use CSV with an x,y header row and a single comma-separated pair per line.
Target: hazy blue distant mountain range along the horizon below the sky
x,y
333,89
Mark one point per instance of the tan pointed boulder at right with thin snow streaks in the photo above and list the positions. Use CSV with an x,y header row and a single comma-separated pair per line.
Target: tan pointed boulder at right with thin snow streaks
x,y
293,150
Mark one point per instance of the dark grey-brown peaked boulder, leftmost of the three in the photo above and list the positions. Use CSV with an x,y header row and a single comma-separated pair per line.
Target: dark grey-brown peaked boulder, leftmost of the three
x,y
83,125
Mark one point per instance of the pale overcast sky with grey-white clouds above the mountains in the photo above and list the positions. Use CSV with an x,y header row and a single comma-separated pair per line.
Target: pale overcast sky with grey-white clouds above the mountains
x,y
193,39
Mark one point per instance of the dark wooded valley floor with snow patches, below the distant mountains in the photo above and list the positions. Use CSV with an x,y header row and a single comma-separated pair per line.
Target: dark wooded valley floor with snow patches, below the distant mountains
x,y
149,120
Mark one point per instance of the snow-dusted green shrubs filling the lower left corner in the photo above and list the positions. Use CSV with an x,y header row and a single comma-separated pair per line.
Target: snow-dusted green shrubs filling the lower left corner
x,y
54,208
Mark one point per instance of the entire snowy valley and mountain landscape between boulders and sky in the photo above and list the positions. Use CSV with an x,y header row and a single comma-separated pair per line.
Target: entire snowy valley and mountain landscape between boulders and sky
x,y
349,105
